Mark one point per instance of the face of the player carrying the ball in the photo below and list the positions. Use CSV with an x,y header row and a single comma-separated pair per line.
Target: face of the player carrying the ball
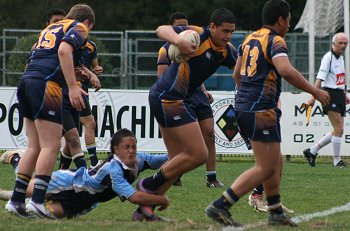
x,y
221,35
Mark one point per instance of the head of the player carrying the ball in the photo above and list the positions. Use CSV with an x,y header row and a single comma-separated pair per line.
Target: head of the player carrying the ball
x,y
222,24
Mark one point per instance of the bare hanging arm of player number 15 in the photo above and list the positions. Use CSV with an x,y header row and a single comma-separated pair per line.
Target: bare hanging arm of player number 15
x,y
65,56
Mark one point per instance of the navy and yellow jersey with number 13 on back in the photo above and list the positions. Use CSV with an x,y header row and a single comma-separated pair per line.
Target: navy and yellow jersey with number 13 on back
x,y
260,82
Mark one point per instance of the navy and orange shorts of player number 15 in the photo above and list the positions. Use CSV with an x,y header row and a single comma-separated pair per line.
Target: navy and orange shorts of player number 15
x,y
40,99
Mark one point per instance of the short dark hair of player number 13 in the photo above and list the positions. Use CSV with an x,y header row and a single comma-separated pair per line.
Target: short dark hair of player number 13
x,y
273,9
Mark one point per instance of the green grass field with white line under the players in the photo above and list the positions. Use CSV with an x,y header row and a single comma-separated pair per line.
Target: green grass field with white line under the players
x,y
306,190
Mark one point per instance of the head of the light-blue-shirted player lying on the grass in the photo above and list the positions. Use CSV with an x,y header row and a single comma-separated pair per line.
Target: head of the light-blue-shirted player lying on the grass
x,y
123,144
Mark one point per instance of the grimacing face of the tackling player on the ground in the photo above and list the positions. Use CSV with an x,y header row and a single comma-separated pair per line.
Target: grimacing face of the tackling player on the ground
x,y
126,151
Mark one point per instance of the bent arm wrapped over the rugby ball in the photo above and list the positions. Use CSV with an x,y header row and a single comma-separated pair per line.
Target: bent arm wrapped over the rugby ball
x,y
167,33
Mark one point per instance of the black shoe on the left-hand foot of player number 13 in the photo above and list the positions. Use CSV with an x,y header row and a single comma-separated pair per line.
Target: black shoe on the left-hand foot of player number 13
x,y
222,216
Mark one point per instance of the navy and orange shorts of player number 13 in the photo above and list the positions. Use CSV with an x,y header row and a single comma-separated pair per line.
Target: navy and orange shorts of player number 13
x,y
261,126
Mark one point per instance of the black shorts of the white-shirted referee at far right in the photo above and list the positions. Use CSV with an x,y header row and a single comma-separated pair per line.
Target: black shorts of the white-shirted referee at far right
x,y
336,103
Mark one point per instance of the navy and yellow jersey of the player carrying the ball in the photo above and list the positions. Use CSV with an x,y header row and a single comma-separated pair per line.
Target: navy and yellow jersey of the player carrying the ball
x,y
180,80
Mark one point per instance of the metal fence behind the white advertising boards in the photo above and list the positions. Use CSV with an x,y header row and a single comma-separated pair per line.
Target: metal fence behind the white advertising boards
x,y
129,58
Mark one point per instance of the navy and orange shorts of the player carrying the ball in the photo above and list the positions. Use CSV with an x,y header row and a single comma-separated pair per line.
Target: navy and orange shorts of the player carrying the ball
x,y
171,113
